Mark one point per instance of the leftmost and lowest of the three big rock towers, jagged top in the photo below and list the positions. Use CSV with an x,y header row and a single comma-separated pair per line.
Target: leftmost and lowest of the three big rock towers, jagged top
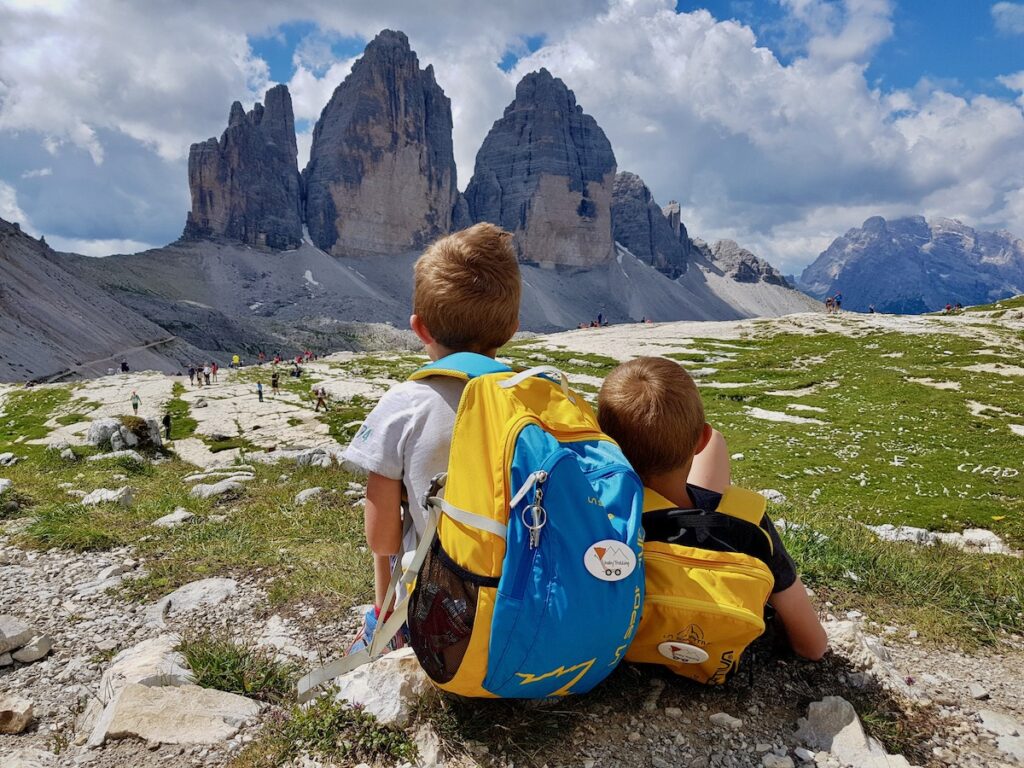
x,y
247,187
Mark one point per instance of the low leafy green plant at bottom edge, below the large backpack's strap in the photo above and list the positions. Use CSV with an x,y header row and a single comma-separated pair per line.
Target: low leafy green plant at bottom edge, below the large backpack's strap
x,y
329,731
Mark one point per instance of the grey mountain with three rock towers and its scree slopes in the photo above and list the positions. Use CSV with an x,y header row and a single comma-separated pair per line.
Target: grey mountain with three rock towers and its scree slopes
x,y
276,260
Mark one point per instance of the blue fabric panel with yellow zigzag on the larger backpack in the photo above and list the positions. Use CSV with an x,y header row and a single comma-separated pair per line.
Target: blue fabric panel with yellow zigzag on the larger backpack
x,y
557,628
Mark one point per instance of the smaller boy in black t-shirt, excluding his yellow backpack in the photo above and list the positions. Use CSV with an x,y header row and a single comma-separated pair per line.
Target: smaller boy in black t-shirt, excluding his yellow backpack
x,y
652,407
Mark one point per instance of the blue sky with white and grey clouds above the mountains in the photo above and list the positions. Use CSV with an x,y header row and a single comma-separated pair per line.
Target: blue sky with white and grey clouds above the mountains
x,y
781,131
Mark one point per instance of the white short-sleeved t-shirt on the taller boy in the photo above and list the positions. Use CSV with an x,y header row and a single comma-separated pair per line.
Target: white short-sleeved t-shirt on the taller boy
x,y
408,438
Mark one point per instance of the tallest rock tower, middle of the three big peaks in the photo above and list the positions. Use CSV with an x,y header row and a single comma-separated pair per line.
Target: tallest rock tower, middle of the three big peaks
x,y
381,177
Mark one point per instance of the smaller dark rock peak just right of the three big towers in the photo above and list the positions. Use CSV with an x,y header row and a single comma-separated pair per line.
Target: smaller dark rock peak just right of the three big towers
x,y
642,226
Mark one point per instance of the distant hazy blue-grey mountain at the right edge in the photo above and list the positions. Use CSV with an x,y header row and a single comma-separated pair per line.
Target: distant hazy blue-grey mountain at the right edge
x,y
912,266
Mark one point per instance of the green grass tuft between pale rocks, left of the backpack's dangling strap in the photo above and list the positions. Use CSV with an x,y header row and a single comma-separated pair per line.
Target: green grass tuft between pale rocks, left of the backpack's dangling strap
x,y
220,662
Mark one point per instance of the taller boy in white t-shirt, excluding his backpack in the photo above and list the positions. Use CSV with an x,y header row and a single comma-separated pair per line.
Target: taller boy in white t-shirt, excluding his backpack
x,y
465,300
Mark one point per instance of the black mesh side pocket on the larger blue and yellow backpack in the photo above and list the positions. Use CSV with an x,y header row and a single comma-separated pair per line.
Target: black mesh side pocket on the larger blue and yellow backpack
x,y
442,610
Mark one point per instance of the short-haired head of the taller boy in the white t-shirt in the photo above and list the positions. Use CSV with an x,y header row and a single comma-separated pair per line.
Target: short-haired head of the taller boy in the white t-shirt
x,y
467,288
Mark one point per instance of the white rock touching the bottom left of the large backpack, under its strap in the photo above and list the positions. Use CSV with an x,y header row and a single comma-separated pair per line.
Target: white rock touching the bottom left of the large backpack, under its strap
x,y
390,689
